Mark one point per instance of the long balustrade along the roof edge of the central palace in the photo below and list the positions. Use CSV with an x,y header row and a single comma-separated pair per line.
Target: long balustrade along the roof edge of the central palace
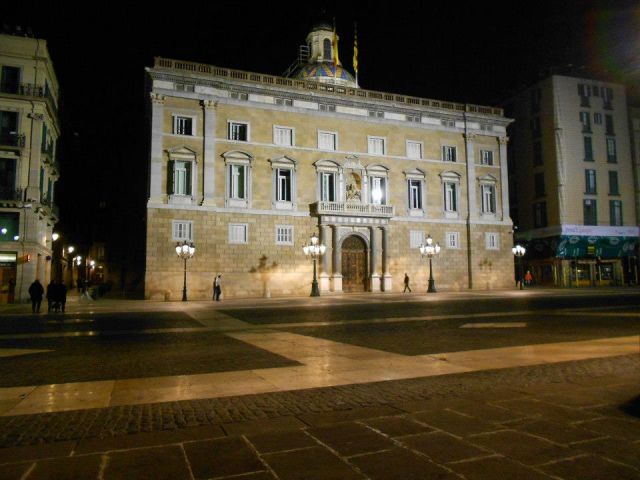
x,y
201,68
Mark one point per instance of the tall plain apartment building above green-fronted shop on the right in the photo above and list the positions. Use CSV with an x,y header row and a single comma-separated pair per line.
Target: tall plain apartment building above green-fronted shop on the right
x,y
571,173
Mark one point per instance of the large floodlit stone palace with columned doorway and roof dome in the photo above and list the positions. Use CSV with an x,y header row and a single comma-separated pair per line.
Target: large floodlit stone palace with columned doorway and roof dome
x,y
248,166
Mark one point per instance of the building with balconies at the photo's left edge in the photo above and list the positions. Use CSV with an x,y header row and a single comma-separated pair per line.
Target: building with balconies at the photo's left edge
x,y
29,131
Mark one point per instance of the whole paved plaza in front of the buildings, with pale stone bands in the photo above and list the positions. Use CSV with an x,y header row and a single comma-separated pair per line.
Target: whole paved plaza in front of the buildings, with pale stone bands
x,y
531,384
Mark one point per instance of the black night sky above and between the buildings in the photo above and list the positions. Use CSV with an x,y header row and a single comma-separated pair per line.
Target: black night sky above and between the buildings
x,y
477,52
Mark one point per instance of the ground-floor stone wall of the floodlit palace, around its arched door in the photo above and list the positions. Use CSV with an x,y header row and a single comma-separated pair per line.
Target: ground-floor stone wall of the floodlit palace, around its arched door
x,y
261,267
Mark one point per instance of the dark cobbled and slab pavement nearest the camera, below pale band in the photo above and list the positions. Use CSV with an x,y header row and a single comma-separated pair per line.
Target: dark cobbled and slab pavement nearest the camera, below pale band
x,y
566,420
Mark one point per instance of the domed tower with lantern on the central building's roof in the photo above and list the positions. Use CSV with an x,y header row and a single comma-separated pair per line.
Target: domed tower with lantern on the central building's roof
x,y
321,65
